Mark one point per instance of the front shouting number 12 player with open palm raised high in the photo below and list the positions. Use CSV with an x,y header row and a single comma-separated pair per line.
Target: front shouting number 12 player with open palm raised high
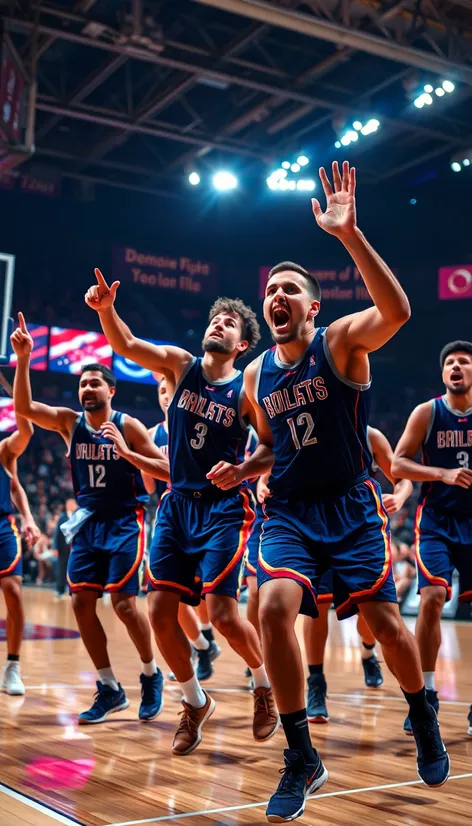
x,y
311,393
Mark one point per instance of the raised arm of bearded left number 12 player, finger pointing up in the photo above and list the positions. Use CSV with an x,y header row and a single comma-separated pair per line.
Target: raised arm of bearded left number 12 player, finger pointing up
x,y
61,419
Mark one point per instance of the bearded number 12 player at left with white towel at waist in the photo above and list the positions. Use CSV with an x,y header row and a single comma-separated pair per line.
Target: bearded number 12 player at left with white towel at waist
x,y
108,528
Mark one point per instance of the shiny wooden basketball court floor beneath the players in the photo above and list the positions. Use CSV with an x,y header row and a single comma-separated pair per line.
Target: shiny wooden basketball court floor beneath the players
x,y
122,772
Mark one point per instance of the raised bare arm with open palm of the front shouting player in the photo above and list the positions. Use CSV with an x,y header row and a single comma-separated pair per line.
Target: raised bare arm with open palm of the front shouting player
x,y
370,329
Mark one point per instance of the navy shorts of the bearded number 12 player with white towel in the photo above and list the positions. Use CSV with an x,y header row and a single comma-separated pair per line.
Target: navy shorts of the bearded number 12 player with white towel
x,y
107,552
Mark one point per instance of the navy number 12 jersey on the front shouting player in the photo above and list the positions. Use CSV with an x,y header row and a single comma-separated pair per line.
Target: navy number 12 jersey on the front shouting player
x,y
318,419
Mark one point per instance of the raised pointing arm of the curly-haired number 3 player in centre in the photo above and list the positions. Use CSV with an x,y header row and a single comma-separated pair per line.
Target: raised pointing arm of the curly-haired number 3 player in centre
x,y
101,298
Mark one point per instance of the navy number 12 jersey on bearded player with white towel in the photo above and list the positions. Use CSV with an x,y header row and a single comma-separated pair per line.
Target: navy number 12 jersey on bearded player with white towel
x,y
102,480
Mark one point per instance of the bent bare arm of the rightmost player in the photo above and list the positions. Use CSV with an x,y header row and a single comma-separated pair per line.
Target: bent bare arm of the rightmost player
x,y
403,463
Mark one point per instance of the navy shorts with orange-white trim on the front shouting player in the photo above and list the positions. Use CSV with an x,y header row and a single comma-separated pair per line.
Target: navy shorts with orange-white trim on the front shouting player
x,y
349,534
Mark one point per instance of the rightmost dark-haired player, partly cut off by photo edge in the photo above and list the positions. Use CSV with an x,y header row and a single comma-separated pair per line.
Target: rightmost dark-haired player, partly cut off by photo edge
x,y
442,429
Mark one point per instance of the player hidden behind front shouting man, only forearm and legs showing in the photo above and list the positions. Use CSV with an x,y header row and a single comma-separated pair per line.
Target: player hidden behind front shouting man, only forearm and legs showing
x,y
315,631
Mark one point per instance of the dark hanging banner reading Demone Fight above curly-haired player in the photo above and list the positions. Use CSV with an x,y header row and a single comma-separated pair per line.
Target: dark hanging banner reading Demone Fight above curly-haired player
x,y
162,272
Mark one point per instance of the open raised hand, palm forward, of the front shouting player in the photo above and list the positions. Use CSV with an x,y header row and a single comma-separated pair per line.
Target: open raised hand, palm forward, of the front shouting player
x,y
339,218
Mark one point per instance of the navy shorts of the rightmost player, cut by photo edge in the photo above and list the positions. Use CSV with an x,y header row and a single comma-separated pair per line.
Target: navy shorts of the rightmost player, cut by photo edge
x,y
443,541
